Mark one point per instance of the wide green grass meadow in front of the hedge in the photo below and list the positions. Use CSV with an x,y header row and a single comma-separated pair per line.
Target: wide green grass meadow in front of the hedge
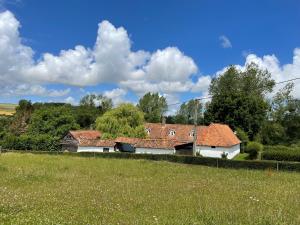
x,y
45,189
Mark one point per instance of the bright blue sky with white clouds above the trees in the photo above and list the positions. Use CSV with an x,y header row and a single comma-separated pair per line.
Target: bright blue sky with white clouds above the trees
x,y
204,36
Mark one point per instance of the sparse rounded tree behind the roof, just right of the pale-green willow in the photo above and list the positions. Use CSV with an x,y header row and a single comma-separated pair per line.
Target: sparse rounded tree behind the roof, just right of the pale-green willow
x,y
153,106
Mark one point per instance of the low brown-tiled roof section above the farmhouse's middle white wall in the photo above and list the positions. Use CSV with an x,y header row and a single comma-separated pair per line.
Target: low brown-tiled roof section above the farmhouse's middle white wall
x,y
156,143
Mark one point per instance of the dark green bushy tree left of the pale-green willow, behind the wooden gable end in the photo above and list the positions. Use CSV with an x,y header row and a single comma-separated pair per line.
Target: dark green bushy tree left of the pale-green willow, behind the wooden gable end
x,y
53,120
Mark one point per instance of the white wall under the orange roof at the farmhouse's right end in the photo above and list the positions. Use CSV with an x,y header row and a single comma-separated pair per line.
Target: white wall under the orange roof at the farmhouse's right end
x,y
208,151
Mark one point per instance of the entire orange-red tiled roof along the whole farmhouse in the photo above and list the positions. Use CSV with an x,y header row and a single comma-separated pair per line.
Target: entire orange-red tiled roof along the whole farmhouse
x,y
218,135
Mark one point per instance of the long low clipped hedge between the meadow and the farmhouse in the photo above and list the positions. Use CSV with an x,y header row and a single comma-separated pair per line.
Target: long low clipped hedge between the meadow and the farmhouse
x,y
212,162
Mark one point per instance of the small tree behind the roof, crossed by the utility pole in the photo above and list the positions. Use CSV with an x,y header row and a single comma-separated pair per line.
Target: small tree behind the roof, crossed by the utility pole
x,y
186,113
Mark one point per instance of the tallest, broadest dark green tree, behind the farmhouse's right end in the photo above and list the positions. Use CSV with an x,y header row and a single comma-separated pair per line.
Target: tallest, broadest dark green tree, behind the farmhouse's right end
x,y
238,98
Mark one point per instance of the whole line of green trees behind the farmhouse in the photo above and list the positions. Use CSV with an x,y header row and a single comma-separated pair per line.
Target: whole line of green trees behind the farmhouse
x,y
240,99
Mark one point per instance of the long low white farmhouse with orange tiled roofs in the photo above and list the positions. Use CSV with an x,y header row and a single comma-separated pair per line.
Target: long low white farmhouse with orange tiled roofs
x,y
212,141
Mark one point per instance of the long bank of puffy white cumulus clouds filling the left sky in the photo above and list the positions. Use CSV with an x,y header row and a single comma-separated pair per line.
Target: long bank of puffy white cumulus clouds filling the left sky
x,y
111,60
